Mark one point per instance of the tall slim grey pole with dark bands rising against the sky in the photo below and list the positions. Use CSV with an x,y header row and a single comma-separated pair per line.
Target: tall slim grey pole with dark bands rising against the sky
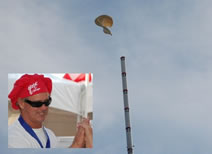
x,y
126,106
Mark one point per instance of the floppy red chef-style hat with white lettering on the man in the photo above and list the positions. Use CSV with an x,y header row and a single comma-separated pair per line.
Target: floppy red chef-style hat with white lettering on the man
x,y
29,85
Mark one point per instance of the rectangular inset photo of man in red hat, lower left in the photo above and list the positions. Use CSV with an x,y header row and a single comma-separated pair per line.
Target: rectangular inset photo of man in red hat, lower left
x,y
50,110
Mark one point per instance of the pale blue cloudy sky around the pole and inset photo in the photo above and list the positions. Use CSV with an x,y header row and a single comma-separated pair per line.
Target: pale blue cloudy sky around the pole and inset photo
x,y
168,49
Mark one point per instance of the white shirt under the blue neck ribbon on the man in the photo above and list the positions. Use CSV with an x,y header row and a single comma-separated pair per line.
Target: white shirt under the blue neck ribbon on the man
x,y
18,137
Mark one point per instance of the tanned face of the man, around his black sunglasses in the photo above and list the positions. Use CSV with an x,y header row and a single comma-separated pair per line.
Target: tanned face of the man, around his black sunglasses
x,y
35,114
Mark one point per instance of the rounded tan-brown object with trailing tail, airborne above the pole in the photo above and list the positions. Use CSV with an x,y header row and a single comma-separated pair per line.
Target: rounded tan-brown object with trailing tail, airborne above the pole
x,y
104,21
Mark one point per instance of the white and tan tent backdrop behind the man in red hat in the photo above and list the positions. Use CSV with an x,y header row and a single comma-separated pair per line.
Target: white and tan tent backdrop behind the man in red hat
x,y
70,102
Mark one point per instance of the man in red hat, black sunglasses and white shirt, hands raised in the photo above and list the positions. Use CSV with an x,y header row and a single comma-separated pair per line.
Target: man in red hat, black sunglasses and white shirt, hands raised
x,y
31,95
